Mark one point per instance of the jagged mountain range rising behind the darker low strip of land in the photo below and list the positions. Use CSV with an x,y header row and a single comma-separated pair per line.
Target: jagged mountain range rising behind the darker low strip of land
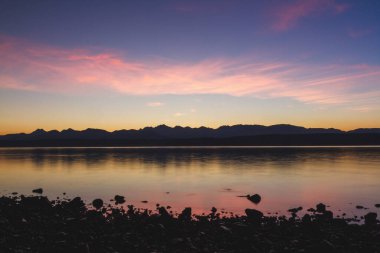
x,y
179,132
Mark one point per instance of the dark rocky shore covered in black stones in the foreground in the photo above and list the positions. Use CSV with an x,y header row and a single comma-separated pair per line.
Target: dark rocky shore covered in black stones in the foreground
x,y
37,224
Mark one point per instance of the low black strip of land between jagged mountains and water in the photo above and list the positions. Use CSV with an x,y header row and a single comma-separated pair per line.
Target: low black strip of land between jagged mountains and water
x,y
280,140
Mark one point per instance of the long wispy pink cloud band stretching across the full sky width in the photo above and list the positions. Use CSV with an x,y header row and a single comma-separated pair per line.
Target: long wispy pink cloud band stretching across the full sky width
x,y
28,66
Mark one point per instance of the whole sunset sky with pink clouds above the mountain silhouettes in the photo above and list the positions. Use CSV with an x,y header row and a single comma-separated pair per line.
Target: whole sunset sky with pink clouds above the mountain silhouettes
x,y
129,64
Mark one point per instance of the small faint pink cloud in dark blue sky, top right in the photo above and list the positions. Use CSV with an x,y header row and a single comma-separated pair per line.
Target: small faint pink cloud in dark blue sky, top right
x,y
287,16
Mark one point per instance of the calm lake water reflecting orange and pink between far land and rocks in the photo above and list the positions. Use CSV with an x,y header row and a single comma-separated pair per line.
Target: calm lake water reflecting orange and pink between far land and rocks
x,y
341,177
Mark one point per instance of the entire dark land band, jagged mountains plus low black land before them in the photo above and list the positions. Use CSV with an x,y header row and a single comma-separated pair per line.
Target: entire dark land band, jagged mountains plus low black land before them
x,y
281,134
